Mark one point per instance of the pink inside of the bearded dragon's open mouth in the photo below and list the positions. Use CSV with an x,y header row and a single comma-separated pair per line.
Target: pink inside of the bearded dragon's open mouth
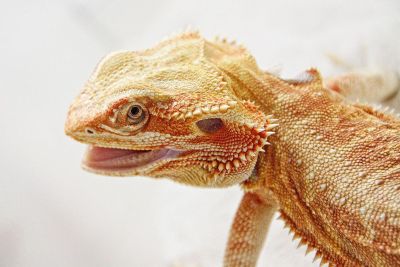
x,y
121,159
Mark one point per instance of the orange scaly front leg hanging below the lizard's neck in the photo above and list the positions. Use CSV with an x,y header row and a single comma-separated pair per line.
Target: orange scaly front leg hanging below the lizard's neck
x,y
249,230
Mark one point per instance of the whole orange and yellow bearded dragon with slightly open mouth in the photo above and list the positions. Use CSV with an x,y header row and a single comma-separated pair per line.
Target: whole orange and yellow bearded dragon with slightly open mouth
x,y
203,113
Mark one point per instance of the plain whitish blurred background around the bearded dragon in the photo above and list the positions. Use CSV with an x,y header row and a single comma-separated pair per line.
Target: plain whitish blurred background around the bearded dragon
x,y
54,214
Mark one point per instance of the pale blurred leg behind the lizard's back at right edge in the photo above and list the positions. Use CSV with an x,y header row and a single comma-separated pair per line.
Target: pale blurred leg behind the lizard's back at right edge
x,y
374,86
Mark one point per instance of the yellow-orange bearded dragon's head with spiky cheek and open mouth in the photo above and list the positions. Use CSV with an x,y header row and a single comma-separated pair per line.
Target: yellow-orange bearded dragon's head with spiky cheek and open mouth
x,y
169,111
